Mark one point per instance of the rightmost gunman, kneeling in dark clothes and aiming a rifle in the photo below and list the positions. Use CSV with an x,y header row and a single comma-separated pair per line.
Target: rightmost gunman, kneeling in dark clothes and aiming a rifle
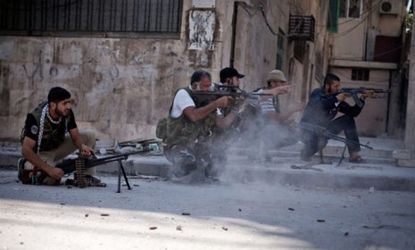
x,y
320,112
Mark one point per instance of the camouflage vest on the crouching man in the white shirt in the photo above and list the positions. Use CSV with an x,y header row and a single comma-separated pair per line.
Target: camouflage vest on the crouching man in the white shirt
x,y
181,130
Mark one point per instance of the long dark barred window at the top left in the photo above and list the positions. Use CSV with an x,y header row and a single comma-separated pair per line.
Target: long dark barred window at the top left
x,y
58,17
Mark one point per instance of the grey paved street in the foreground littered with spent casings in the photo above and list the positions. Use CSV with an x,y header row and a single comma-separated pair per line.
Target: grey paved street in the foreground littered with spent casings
x,y
159,214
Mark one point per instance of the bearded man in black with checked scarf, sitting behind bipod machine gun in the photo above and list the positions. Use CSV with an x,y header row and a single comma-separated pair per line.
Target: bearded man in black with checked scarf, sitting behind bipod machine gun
x,y
45,139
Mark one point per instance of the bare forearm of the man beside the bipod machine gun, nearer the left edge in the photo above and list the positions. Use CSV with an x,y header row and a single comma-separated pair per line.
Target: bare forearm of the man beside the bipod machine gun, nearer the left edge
x,y
28,153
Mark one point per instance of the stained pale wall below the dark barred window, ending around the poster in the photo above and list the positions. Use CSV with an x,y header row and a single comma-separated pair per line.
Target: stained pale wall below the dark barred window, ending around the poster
x,y
121,86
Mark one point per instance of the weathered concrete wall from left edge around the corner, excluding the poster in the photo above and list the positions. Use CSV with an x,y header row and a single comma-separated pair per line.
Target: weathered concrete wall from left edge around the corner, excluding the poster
x,y
122,86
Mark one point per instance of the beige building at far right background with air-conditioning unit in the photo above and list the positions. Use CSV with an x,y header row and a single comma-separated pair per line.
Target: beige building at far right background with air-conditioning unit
x,y
366,51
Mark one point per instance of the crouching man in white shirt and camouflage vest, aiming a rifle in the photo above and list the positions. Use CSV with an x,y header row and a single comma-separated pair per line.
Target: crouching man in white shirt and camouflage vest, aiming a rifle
x,y
188,130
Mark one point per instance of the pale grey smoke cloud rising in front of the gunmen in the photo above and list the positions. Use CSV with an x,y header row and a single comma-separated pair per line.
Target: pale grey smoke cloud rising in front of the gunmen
x,y
244,152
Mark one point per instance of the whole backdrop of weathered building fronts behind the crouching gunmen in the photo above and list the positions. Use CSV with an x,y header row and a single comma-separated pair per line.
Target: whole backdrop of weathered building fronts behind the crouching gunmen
x,y
123,60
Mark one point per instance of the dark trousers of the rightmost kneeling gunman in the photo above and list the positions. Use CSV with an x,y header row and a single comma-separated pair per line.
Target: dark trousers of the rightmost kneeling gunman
x,y
314,142
